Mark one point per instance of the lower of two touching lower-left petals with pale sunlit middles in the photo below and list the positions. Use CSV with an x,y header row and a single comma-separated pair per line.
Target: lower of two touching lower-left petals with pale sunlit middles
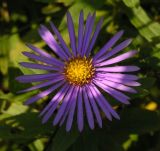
x,y
54,103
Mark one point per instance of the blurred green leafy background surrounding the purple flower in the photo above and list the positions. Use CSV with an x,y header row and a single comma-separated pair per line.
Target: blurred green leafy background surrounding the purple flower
x,y
20,126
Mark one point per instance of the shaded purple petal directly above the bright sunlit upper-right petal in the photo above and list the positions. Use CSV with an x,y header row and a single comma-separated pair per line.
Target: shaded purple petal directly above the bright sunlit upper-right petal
x,y
115,50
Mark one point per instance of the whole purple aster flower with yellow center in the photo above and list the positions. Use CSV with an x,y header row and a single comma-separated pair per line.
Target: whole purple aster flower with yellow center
x,y
78,77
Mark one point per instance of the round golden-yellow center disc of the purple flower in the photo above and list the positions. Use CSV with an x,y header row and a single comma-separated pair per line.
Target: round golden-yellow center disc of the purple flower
x,y
79,71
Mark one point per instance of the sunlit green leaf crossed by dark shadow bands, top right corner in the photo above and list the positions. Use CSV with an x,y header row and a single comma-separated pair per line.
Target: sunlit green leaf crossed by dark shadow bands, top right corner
x,y
148,28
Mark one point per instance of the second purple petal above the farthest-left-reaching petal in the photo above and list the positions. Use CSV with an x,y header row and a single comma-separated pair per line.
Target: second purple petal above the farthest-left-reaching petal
x,y
51,61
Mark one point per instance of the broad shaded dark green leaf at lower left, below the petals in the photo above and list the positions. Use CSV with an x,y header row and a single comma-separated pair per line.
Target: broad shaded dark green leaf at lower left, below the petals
x,y
23,127
